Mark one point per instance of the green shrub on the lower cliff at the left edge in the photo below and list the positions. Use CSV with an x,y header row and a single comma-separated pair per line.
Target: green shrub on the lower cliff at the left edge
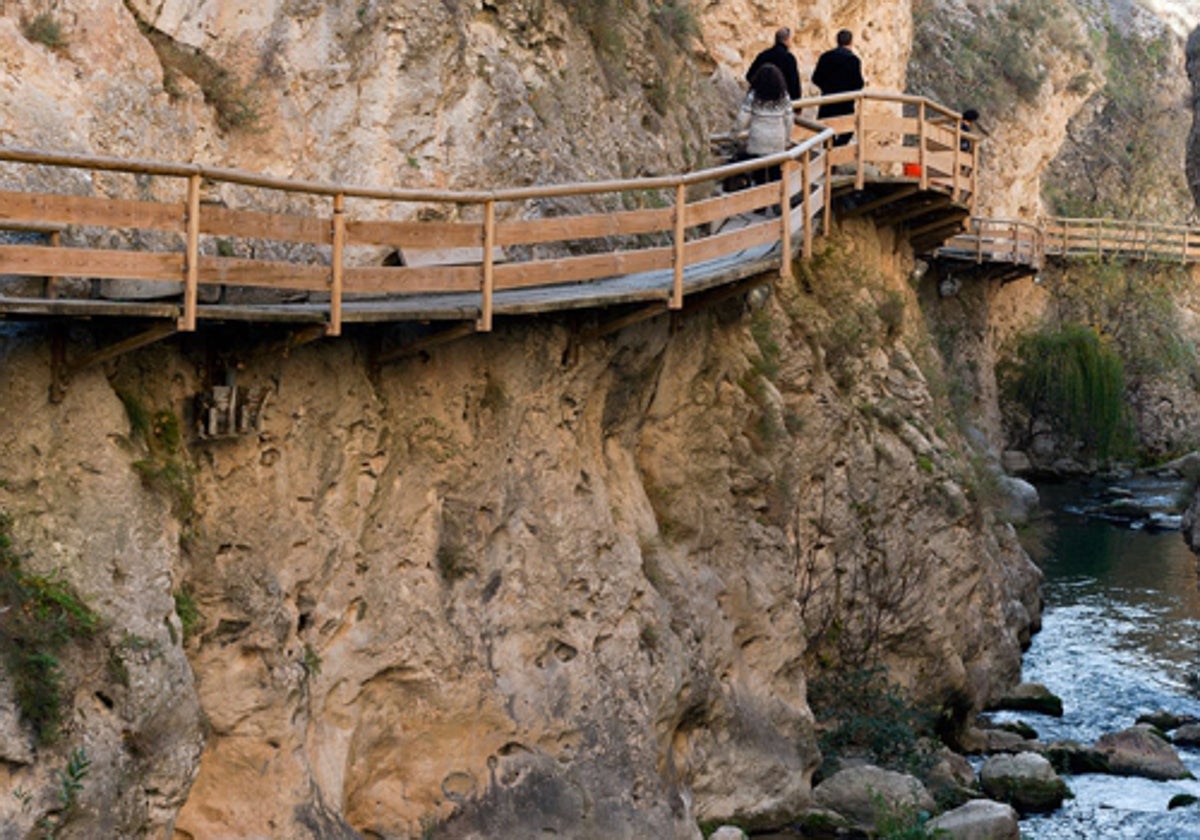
x,y
44,616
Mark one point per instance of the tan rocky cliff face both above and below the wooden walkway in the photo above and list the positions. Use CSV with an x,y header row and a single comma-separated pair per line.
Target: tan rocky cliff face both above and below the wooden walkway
x,y
527,579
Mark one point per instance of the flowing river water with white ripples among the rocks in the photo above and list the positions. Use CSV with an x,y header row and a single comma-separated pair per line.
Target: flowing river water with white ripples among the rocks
x,y
1120,638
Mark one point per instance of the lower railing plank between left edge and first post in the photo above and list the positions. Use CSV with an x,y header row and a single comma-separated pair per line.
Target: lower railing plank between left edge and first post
x,y
40,261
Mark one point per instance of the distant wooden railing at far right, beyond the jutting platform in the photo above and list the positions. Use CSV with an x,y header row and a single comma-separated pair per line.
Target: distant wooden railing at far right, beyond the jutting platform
x,y
1001,241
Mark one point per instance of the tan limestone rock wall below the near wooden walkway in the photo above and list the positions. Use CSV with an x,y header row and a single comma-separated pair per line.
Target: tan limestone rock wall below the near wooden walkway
x,y
521,580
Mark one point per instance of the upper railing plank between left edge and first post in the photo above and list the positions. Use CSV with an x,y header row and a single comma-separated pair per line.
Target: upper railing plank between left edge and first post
x,y
88,211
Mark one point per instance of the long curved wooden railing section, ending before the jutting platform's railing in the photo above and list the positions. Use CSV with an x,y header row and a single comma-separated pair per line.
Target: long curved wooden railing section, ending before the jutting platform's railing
x,y
321,239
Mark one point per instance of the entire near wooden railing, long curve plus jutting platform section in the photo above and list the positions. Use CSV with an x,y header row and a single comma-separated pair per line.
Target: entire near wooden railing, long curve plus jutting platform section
x,y
195,231
